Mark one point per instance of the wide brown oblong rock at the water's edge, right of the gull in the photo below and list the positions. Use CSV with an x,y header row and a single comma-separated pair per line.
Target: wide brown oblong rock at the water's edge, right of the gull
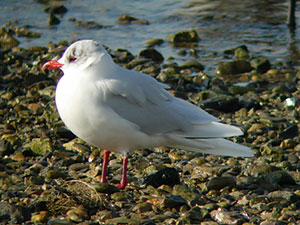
x,y
233,67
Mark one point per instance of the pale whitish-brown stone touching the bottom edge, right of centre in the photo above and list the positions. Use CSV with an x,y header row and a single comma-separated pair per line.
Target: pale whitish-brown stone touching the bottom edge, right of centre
x,y
230,217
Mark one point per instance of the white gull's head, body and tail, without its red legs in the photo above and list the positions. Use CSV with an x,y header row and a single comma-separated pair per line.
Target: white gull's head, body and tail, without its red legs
x,y
121,110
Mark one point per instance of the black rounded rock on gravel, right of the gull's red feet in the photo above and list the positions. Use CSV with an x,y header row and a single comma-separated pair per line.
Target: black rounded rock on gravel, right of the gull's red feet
x,y
168,176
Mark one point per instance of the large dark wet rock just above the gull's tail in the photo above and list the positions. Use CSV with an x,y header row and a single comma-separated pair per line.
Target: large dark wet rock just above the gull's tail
x,y
223,103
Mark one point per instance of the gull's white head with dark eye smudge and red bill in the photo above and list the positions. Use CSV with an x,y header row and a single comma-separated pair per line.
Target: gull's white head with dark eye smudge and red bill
x,y
79,55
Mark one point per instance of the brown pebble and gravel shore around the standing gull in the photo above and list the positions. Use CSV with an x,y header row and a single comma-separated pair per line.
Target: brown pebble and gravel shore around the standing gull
x,y
48,176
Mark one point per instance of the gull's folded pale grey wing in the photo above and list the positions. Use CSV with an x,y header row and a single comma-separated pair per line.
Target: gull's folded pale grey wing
x,y
144,101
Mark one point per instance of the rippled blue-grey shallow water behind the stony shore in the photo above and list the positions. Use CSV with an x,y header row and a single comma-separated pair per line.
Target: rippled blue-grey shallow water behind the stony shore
x,y
261,25
